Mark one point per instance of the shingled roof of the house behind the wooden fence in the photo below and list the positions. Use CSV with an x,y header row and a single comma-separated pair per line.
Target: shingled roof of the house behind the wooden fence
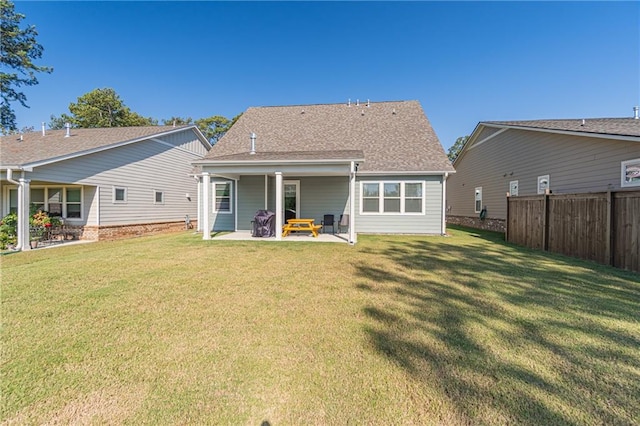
x,y
602,126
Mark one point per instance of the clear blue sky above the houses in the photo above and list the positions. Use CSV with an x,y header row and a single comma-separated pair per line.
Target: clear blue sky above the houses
x,y
464,61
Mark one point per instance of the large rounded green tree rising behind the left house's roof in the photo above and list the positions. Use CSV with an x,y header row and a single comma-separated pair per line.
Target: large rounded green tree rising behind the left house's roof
x,y
101,108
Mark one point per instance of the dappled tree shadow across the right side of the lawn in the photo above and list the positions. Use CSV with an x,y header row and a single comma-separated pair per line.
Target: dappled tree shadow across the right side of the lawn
x,y
505,334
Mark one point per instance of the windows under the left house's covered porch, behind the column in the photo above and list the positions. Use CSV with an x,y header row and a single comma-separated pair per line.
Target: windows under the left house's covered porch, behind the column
x,y
57,201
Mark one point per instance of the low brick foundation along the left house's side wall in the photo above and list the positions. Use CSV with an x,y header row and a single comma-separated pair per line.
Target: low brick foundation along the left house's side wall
x,y
115,232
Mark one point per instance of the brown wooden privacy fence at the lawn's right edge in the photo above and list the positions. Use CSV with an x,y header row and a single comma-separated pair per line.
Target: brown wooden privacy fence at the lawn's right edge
x,y
603,227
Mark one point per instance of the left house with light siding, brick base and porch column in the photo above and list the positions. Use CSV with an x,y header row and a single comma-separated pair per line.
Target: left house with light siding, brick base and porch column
x,y
104,182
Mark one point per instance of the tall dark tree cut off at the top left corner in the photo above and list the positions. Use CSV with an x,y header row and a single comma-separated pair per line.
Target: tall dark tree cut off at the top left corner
x,y
18,49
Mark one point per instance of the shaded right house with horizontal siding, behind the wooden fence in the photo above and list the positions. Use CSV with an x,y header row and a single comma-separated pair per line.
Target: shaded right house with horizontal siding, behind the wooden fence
x,y
530,157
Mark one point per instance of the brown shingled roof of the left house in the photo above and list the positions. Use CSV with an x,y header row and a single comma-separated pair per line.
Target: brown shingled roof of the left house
x,y
34,148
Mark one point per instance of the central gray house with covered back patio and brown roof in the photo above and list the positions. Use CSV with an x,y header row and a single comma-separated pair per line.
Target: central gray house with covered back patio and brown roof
x,y
380,163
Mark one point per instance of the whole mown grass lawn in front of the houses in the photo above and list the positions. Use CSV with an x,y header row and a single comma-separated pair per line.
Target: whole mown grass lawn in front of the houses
x,y
396,330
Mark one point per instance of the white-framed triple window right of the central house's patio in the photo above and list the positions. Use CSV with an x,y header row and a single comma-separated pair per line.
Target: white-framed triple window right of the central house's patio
x,y
392,197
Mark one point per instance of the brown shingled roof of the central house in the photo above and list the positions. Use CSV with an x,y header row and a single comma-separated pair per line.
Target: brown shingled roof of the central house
x,y
392,136
